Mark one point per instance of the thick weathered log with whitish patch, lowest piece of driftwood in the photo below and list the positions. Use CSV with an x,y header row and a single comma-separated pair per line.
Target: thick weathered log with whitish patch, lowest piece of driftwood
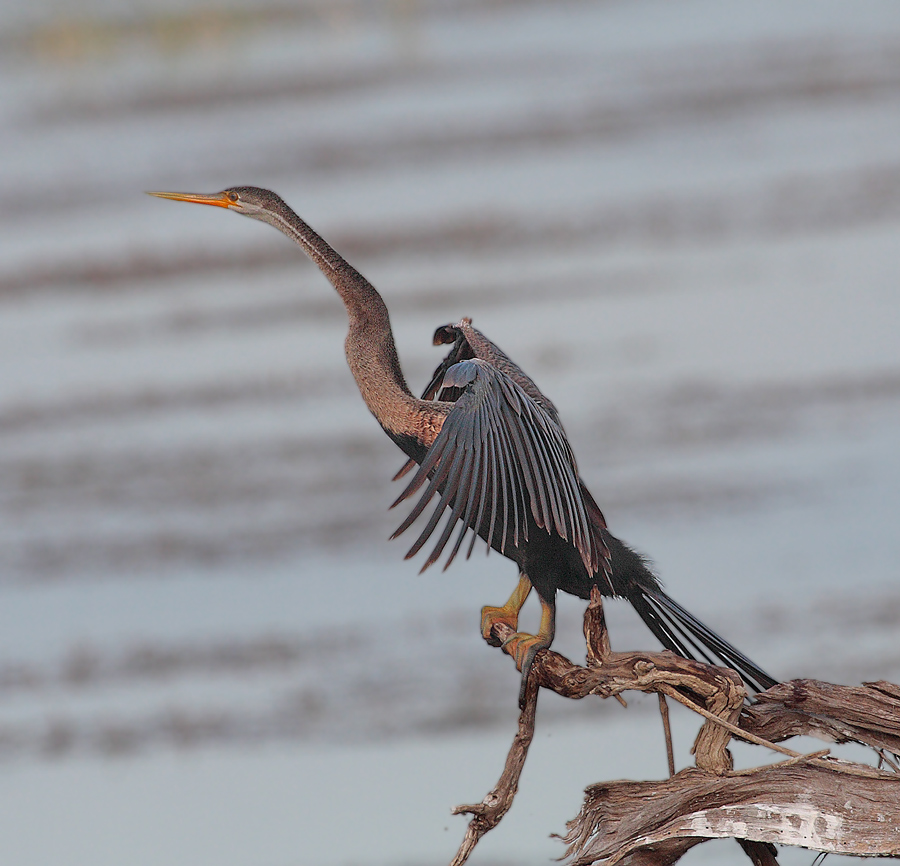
x,y
806,804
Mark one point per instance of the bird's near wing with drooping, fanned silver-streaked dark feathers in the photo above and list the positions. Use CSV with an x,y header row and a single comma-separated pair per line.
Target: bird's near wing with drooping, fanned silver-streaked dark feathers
x,y
500,464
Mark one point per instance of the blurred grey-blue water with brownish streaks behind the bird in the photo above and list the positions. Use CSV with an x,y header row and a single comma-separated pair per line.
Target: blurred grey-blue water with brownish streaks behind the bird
x,y
681,219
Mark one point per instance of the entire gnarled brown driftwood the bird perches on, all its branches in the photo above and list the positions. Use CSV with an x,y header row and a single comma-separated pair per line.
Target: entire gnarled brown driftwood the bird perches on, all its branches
x,y
812,801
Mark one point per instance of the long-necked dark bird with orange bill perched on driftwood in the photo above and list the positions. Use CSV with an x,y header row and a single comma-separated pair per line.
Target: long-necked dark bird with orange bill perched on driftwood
x,y
492,458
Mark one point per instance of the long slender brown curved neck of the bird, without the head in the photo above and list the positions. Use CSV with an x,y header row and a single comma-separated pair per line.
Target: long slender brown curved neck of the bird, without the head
x,y
369,347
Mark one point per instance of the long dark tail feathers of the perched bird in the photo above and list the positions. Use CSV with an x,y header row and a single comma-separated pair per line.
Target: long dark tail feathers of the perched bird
x,y
680,631
